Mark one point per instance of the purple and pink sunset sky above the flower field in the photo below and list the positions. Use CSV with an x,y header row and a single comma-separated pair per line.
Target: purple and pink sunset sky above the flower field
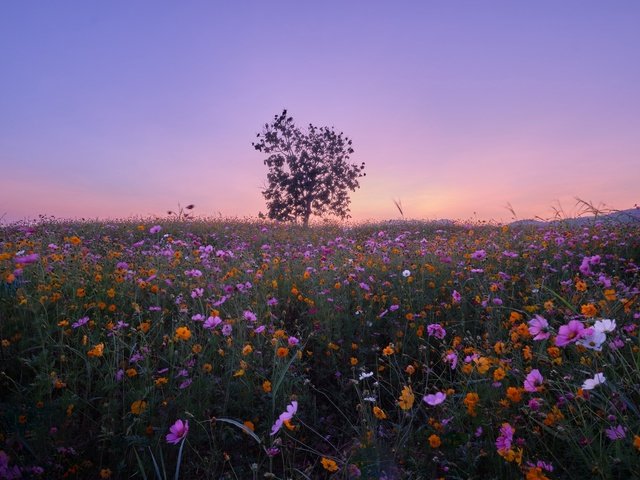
x,y
459,109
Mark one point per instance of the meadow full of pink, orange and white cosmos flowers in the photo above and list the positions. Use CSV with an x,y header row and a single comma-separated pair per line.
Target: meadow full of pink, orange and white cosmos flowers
x,y
243,349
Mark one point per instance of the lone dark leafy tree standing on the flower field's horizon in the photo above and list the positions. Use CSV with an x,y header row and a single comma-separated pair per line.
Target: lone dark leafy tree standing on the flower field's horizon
x,y
309,173
